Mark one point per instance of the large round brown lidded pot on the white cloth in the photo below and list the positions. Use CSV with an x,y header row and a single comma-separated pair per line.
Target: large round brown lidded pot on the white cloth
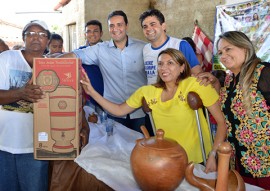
x,y
158,163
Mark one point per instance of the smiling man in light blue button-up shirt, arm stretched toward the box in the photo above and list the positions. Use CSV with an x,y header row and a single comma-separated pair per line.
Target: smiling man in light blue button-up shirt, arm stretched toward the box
x,y
121,63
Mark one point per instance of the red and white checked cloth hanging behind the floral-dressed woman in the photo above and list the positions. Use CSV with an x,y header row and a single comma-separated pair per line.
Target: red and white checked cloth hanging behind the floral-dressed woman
x,y
204,47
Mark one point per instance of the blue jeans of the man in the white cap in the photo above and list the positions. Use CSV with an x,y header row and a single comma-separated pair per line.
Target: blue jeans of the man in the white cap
x,y
21,172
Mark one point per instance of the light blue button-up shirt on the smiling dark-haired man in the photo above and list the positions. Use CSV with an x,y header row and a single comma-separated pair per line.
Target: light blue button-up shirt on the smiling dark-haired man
x,y
122,70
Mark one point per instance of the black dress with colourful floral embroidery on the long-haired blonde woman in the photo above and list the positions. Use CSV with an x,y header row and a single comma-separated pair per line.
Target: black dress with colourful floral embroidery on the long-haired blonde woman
x,y
249,136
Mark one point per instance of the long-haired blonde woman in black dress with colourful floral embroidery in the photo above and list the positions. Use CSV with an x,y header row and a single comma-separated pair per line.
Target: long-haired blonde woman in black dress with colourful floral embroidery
x,y
245,101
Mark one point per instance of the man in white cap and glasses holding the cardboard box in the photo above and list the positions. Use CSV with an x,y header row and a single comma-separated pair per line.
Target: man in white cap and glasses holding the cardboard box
x,y
19,170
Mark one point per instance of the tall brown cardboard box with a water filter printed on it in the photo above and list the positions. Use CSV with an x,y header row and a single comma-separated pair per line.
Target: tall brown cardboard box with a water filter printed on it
x,y
58,117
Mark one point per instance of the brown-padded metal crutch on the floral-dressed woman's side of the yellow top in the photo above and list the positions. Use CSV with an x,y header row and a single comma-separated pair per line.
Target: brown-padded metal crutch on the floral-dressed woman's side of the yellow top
x,y
195,102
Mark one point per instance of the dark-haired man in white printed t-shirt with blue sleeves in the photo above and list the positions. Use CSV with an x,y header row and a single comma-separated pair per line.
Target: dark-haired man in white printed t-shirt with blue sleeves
x,y
154,29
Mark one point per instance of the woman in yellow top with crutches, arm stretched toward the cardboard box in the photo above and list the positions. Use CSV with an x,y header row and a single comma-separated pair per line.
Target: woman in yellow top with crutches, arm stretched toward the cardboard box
x,y
168,101
